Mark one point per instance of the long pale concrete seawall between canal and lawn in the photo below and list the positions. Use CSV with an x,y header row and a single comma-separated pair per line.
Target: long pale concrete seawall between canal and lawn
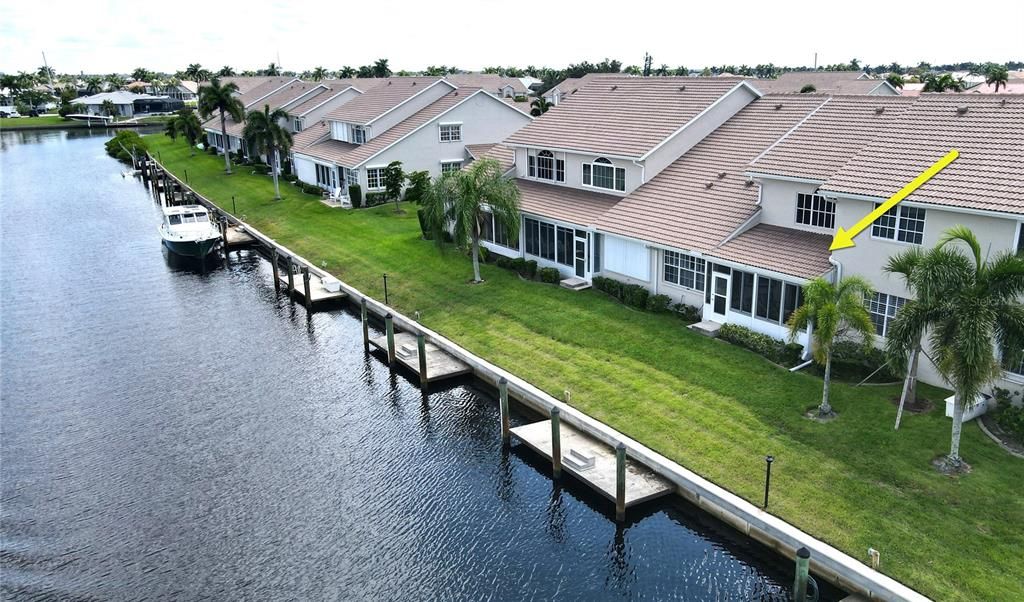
x,y
827,562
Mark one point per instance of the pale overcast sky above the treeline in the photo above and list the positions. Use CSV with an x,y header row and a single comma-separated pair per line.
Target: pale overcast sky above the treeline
x,y
118,36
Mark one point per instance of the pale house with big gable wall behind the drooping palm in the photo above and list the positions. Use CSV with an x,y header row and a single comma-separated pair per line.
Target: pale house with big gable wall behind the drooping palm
x,y
426,123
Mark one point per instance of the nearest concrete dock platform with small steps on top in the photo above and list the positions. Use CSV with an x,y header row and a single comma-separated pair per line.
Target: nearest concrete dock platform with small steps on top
x,y
642,484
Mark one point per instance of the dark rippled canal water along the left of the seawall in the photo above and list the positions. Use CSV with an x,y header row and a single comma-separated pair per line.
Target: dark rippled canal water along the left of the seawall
x,y
175,433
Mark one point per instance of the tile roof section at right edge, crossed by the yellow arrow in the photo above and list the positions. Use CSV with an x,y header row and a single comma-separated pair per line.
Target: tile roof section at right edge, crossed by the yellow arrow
x,y
988,130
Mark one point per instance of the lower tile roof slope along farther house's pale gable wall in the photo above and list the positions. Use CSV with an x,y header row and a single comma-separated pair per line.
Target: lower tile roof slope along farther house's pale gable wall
x,y
316,142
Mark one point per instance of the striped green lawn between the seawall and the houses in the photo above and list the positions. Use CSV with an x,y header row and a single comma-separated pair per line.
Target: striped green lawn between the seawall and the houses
x,y
715,409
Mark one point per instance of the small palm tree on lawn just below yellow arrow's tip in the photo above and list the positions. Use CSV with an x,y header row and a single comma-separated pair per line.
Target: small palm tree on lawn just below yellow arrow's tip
x,y
836,312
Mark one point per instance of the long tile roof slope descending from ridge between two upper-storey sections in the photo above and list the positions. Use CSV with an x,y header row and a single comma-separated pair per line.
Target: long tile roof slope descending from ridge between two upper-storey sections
x,y
678,209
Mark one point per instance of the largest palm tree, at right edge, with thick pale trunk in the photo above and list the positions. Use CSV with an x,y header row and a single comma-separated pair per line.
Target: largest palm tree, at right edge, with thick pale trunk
x,y
974,309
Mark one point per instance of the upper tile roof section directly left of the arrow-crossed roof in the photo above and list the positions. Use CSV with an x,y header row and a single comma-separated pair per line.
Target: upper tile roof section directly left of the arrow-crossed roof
x,y
821,146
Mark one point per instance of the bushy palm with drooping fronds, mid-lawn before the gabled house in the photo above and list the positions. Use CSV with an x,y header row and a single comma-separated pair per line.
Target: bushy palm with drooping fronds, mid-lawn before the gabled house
x,y
460,201
